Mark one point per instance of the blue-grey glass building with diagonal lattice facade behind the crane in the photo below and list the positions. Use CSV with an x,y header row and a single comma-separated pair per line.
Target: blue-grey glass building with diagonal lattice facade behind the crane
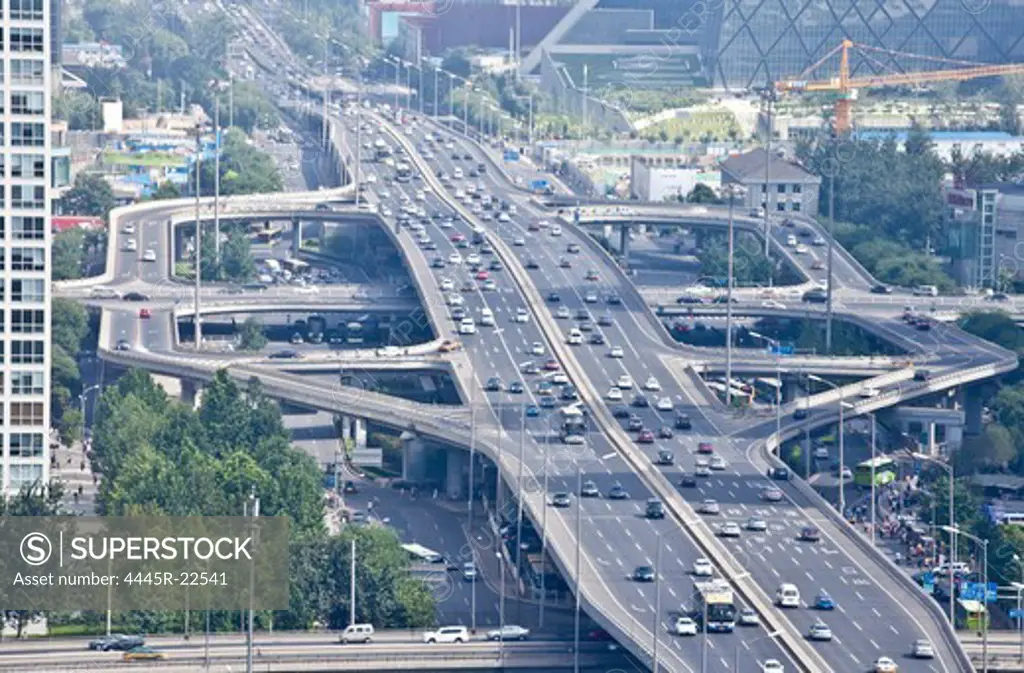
x,y
758,41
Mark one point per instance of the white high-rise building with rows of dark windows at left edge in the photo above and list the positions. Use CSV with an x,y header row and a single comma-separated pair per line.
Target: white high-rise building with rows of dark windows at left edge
x,y
25,234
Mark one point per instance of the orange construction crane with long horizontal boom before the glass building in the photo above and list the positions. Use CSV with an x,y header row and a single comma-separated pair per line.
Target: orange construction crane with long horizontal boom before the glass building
x,y
846,86
